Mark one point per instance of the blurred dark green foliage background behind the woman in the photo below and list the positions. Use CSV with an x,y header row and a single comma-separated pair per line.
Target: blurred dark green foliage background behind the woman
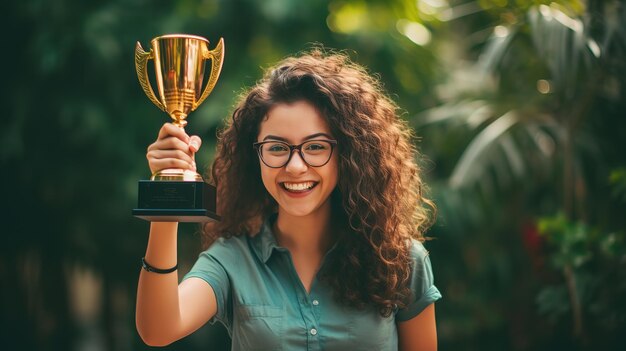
x,y
518,105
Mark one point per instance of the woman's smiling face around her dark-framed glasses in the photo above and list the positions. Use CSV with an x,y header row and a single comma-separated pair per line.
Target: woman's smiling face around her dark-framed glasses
x,y
299,189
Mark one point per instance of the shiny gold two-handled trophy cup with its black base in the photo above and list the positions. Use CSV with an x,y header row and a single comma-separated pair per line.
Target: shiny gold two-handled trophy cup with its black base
x,y
177,195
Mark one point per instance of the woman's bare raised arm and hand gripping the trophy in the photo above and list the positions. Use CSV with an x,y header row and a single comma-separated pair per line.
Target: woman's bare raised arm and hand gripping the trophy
x,y
167,311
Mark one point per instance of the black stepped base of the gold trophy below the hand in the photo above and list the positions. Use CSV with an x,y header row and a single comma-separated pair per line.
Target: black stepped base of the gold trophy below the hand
x,y
176,201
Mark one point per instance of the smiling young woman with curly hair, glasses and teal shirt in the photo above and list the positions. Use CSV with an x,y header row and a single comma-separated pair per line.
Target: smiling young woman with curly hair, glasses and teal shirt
x,y
319,246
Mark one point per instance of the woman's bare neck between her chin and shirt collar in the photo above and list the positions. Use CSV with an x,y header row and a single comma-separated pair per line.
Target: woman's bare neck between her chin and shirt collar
x,y
304,233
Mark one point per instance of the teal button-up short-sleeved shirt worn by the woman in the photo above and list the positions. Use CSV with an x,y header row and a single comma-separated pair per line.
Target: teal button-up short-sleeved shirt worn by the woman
x,y
264,306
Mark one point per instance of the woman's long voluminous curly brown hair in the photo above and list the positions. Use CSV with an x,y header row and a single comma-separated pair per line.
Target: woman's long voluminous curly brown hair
x,y
378,204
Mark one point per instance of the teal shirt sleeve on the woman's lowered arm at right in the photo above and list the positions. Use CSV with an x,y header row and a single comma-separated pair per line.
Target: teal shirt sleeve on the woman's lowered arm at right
x,y
424,292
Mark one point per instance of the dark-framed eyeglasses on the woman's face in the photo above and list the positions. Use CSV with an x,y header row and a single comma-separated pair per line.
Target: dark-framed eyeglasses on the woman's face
x,y
276,154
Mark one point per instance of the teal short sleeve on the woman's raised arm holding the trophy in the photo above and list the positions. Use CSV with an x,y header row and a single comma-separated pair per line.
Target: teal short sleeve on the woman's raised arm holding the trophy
x,y
209,269
